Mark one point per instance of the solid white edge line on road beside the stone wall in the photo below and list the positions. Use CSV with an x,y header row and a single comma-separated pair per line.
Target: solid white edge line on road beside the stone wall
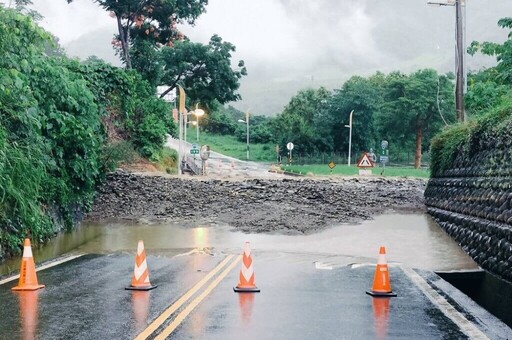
x,y
460,320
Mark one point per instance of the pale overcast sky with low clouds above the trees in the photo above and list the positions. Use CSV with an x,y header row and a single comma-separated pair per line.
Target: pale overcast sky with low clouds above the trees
x,y
291,44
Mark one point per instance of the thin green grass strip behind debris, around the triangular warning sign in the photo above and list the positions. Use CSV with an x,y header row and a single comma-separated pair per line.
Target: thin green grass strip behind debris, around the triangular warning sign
x,y
345,170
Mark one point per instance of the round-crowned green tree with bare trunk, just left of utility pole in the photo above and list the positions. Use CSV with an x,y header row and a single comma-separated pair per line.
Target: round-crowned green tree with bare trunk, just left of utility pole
x,y
415,107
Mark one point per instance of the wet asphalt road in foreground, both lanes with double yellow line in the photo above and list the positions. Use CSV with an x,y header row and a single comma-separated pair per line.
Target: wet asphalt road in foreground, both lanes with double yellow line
x,y
85,299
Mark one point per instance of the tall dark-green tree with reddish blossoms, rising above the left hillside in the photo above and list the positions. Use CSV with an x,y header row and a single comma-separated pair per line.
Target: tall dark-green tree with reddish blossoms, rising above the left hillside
x,y
149,41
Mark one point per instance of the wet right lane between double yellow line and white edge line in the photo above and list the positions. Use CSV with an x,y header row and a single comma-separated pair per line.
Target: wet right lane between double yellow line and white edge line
x,y
298,301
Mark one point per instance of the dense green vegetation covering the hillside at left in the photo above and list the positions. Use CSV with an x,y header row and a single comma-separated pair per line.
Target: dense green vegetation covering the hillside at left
x,y
63,124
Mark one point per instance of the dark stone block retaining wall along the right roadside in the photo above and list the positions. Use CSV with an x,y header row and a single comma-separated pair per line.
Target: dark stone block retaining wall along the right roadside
x,y
472,202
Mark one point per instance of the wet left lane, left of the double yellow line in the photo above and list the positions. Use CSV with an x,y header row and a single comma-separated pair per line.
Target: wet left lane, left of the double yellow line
x,y
85,298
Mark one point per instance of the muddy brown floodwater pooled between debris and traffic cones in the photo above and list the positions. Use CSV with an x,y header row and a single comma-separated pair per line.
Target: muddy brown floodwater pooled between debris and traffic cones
x,y
412,239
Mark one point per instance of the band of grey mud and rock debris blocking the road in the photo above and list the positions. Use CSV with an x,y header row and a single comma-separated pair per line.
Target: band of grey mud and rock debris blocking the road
x,y
284,205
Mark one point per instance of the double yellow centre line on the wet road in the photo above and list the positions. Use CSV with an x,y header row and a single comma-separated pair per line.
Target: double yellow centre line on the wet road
x,y
175,306
